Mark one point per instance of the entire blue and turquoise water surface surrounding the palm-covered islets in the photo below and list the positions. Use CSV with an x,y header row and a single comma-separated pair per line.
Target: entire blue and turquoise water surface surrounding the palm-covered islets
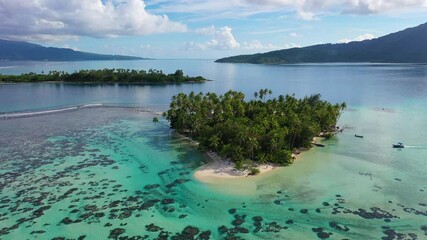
x,y
108,171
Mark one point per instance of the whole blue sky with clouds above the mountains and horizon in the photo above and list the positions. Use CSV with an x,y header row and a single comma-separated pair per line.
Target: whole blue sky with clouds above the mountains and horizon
x,y
196,29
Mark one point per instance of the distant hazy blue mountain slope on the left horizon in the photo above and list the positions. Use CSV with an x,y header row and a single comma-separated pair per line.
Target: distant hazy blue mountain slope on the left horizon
x,y
24,51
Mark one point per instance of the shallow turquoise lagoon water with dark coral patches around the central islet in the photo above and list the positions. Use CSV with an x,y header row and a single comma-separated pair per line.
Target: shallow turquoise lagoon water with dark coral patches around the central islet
x,y
108,172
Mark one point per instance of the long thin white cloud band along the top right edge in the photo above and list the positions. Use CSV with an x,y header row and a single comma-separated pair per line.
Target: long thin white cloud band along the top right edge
x,y
304,9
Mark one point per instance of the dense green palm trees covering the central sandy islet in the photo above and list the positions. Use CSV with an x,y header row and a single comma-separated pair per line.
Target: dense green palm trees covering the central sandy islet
x,y
262,130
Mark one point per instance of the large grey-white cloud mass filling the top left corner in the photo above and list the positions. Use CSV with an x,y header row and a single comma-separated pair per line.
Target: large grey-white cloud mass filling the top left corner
x,y
44,19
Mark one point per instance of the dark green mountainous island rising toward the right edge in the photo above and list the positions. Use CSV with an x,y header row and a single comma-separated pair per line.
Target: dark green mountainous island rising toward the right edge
x,y
407,46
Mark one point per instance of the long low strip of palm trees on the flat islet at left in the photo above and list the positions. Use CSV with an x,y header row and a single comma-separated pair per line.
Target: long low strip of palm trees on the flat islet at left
x,y
104,76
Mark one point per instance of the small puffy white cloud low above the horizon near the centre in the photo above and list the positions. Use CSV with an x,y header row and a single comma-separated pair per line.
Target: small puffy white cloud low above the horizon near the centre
x,y
221,39
